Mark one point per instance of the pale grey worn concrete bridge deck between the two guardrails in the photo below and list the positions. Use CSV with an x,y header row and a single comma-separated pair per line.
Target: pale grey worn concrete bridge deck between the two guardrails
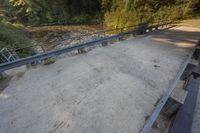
x,y
110,89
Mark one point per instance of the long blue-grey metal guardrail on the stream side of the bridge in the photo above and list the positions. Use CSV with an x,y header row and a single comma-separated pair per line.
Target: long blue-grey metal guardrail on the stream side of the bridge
x,y
42,56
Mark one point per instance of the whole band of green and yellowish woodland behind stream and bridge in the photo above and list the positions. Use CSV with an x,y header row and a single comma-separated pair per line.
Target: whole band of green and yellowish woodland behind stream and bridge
x,y
16,15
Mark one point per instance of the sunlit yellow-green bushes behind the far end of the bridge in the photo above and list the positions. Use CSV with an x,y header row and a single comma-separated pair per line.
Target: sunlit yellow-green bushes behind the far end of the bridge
x,y
120,13
